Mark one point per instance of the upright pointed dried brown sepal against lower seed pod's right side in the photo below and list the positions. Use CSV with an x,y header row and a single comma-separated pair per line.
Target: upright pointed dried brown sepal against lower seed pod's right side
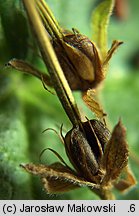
x,y
116,153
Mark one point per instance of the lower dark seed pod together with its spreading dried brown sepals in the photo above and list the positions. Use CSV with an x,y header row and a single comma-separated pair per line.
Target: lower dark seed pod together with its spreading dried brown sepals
x,y
100,161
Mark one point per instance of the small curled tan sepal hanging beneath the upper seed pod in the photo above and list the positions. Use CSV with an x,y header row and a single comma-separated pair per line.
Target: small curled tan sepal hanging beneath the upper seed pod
x,y
93,104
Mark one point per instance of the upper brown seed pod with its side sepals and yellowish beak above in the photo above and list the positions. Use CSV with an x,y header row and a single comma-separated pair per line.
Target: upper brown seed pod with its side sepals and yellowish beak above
x,y
82,61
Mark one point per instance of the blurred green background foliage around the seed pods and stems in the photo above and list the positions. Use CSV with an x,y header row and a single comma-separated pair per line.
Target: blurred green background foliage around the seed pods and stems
x,y
26,109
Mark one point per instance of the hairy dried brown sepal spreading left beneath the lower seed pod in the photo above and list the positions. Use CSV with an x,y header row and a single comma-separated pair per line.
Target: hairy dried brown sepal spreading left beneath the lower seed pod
x,y
57,178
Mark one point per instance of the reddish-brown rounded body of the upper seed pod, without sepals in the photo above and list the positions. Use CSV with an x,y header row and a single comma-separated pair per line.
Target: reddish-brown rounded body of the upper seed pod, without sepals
x,y
79,60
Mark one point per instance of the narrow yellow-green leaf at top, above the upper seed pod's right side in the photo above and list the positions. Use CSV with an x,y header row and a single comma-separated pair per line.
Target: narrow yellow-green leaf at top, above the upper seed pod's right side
x,y
100,20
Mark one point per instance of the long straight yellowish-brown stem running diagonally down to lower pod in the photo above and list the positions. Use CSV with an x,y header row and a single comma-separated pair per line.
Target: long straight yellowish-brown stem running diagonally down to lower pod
x,y
59,81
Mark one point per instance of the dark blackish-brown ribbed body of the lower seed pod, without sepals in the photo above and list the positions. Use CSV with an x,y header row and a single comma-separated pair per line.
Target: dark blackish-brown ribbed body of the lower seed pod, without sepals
x,y
85,147
